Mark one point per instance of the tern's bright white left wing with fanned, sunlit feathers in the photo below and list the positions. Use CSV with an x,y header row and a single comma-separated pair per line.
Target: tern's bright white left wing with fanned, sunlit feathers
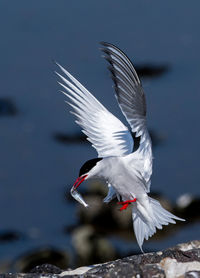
x,y
108,135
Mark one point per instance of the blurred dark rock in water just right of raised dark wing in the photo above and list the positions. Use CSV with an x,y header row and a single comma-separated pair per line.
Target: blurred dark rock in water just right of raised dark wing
x,y
150,70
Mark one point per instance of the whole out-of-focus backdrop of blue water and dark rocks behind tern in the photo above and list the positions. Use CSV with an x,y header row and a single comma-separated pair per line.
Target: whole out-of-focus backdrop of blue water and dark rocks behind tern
x,y
42,149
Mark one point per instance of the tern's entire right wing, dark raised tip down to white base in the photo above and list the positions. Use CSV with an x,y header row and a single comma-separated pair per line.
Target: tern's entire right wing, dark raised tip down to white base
x,y
131,99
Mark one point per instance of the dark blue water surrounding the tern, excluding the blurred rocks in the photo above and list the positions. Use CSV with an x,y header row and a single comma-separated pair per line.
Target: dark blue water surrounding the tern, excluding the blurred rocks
x,y
36,170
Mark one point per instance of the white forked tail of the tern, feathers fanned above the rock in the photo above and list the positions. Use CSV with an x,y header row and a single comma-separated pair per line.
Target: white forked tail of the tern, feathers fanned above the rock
x,y
158,216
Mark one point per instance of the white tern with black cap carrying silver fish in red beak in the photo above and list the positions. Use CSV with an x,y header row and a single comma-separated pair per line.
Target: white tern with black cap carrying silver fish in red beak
x,y
126,171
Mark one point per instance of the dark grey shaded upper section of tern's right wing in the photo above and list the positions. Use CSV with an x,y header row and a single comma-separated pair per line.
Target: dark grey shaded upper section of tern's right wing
x,y
129,92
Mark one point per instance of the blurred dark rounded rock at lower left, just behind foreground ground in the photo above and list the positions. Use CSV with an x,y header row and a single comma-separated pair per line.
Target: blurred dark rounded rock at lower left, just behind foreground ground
x,y
45,255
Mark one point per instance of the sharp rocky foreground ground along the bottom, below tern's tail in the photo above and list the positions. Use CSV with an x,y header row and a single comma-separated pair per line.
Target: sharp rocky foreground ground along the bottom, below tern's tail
x,y
182,260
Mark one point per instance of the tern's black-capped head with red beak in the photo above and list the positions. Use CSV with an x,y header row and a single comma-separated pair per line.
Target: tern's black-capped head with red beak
x,y
85,171
